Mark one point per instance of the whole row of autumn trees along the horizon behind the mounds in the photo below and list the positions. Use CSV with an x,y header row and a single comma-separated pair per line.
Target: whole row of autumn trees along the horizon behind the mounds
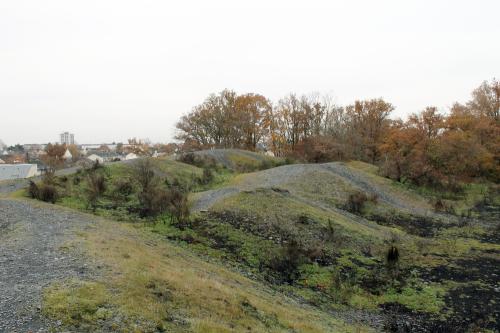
x,y
428,148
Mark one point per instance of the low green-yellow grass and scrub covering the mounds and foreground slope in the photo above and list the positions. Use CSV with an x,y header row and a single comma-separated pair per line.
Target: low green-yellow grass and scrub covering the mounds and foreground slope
x,y
336,238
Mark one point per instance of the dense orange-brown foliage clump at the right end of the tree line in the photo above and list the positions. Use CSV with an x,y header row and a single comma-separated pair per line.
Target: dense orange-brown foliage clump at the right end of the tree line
x,y
444,150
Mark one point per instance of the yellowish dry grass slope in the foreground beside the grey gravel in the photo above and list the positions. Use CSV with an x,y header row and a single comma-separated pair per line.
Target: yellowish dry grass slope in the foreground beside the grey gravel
x,y
150,285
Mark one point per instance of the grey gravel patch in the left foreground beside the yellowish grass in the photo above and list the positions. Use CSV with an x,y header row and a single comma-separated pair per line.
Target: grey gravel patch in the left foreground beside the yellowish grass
x,y
32,255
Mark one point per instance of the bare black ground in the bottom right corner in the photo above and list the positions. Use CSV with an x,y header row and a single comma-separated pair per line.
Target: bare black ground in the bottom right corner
x,y
475,302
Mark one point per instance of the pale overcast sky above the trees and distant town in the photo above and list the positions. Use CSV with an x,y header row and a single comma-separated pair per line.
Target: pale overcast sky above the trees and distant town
x,y
110,70
